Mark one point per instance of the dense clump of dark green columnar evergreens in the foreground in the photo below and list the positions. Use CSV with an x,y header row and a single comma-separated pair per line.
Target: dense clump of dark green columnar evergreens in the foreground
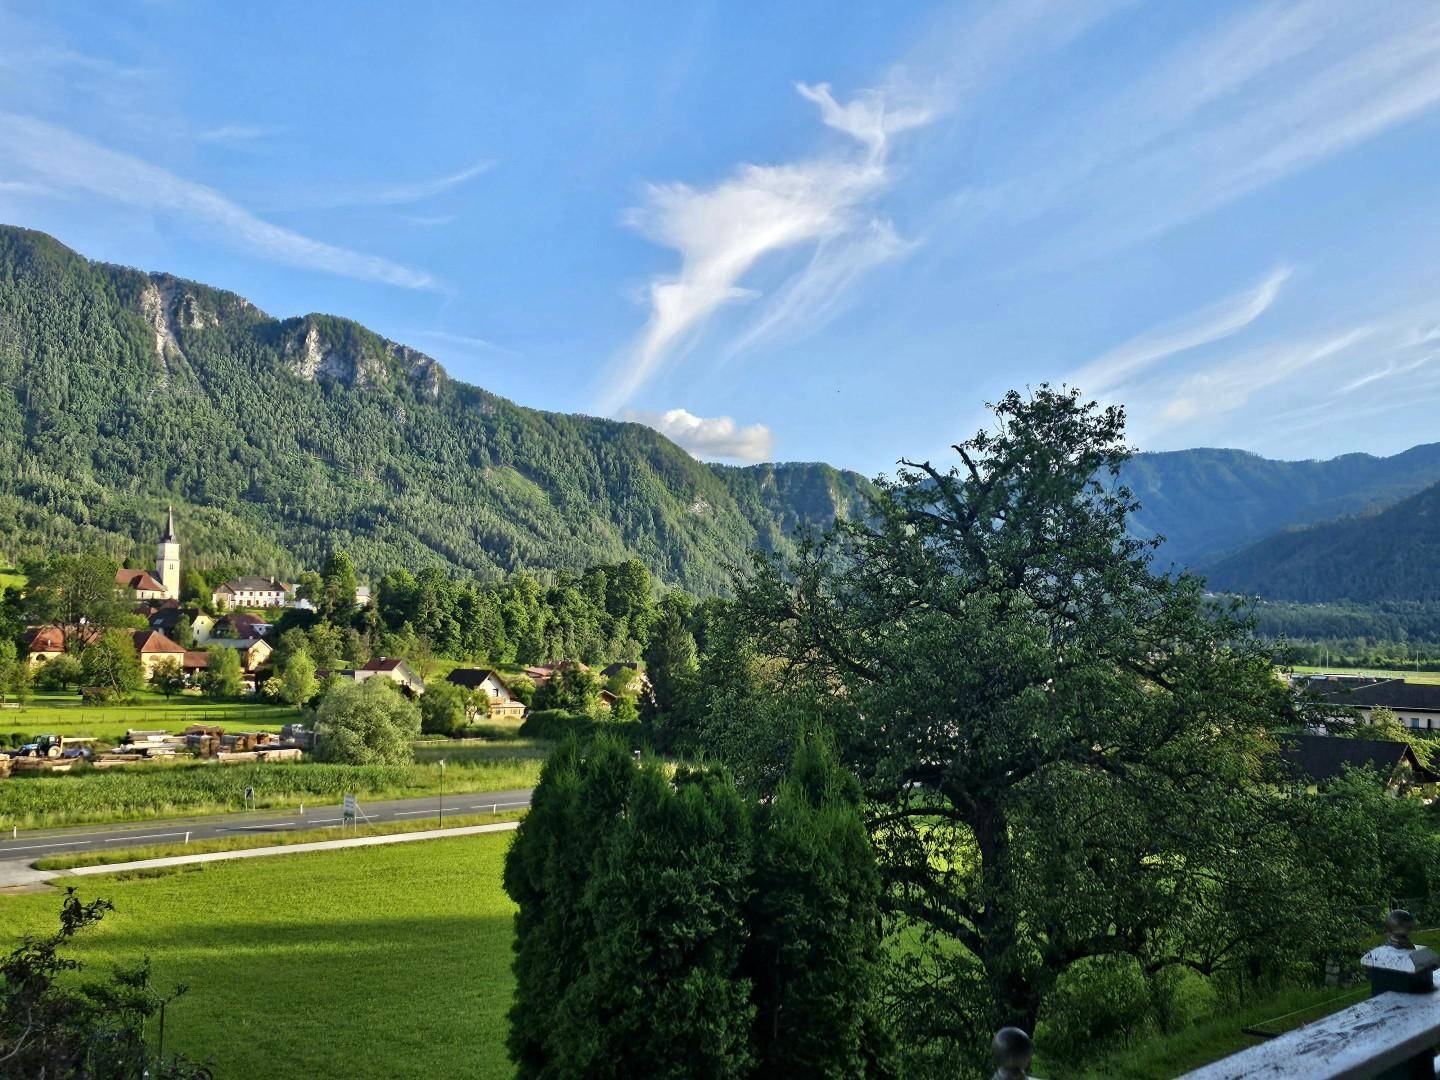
x,y
667,927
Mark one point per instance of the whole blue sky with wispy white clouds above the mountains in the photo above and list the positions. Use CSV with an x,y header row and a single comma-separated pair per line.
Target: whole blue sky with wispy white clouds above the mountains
x,y
804,231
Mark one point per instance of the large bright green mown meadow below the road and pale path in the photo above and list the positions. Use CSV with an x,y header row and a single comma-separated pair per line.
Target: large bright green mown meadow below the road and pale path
x,y
372,963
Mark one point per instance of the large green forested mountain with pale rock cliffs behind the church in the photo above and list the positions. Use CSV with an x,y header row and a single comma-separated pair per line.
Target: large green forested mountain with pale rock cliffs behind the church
x,y
280,440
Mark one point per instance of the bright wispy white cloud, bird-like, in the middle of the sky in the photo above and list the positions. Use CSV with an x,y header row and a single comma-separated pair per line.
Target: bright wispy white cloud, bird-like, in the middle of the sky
x,y
724,233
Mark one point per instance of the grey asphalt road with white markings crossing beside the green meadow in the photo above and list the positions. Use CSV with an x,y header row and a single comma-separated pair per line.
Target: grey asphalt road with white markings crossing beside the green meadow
x,y
38,843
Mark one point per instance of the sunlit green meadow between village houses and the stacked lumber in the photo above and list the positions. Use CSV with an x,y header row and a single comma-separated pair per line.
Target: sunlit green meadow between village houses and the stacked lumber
x,y
63,714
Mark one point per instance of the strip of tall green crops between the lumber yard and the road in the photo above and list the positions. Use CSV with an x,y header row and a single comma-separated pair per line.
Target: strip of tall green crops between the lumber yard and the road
x,y
162,791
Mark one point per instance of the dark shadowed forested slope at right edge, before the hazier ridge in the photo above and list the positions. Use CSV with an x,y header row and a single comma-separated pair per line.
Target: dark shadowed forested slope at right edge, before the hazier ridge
x,y
1392,557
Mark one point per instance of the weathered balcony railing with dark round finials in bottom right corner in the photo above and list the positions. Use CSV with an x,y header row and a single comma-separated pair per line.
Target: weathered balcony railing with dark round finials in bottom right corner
x,y
1393,1035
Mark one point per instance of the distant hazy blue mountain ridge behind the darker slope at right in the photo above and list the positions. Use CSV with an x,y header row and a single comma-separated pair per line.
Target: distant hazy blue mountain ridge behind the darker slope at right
x,y
1210,503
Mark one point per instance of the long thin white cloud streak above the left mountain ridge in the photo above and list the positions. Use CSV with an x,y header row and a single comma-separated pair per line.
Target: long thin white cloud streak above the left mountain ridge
x,y
67,163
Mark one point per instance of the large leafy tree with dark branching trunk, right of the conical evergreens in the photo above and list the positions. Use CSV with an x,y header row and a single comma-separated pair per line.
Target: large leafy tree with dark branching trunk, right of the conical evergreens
x,y
1058,745
